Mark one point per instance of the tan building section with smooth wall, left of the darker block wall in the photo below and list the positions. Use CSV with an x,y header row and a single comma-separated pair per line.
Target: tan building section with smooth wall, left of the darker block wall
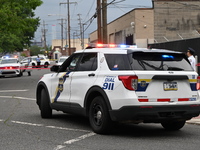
x,y
135,27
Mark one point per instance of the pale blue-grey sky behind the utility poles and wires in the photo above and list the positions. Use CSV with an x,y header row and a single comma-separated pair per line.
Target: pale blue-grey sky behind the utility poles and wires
x,y
52,11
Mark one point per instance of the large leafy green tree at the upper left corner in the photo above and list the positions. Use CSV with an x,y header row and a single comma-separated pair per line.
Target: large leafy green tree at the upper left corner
x,y
17,24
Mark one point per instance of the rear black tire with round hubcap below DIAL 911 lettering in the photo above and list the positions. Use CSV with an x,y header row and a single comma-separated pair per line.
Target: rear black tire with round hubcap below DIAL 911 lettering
x,y
99,116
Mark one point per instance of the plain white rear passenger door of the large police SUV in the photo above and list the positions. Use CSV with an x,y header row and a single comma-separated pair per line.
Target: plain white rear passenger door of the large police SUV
x,y
83,78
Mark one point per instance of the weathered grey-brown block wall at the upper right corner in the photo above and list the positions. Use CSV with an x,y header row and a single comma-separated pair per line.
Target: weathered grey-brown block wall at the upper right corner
x,y
176,19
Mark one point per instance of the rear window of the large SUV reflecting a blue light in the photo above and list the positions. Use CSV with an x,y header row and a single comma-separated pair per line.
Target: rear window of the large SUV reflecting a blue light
x,y
160,61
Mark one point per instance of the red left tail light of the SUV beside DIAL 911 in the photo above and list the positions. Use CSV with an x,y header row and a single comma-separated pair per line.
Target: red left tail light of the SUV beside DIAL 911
x,y
129,82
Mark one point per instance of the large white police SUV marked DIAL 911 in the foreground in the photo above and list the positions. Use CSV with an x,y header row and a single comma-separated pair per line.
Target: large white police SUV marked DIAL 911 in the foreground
x,y
110,85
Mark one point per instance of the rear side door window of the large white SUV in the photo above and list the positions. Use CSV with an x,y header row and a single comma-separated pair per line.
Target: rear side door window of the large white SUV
x,y
88,62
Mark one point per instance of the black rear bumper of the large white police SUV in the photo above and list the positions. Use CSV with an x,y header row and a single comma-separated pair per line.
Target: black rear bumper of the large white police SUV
x,y
155,114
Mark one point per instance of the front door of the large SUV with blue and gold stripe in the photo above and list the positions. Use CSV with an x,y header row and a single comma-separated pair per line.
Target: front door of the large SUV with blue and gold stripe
x,y
61,81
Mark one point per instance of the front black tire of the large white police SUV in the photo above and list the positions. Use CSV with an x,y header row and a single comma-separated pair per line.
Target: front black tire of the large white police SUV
x,y
45,109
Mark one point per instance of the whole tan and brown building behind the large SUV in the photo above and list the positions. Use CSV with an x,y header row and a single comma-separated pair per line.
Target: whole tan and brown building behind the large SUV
x,y
168,20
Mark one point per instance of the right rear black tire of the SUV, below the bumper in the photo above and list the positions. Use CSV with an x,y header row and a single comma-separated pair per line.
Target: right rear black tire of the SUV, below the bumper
x,y
173,125
